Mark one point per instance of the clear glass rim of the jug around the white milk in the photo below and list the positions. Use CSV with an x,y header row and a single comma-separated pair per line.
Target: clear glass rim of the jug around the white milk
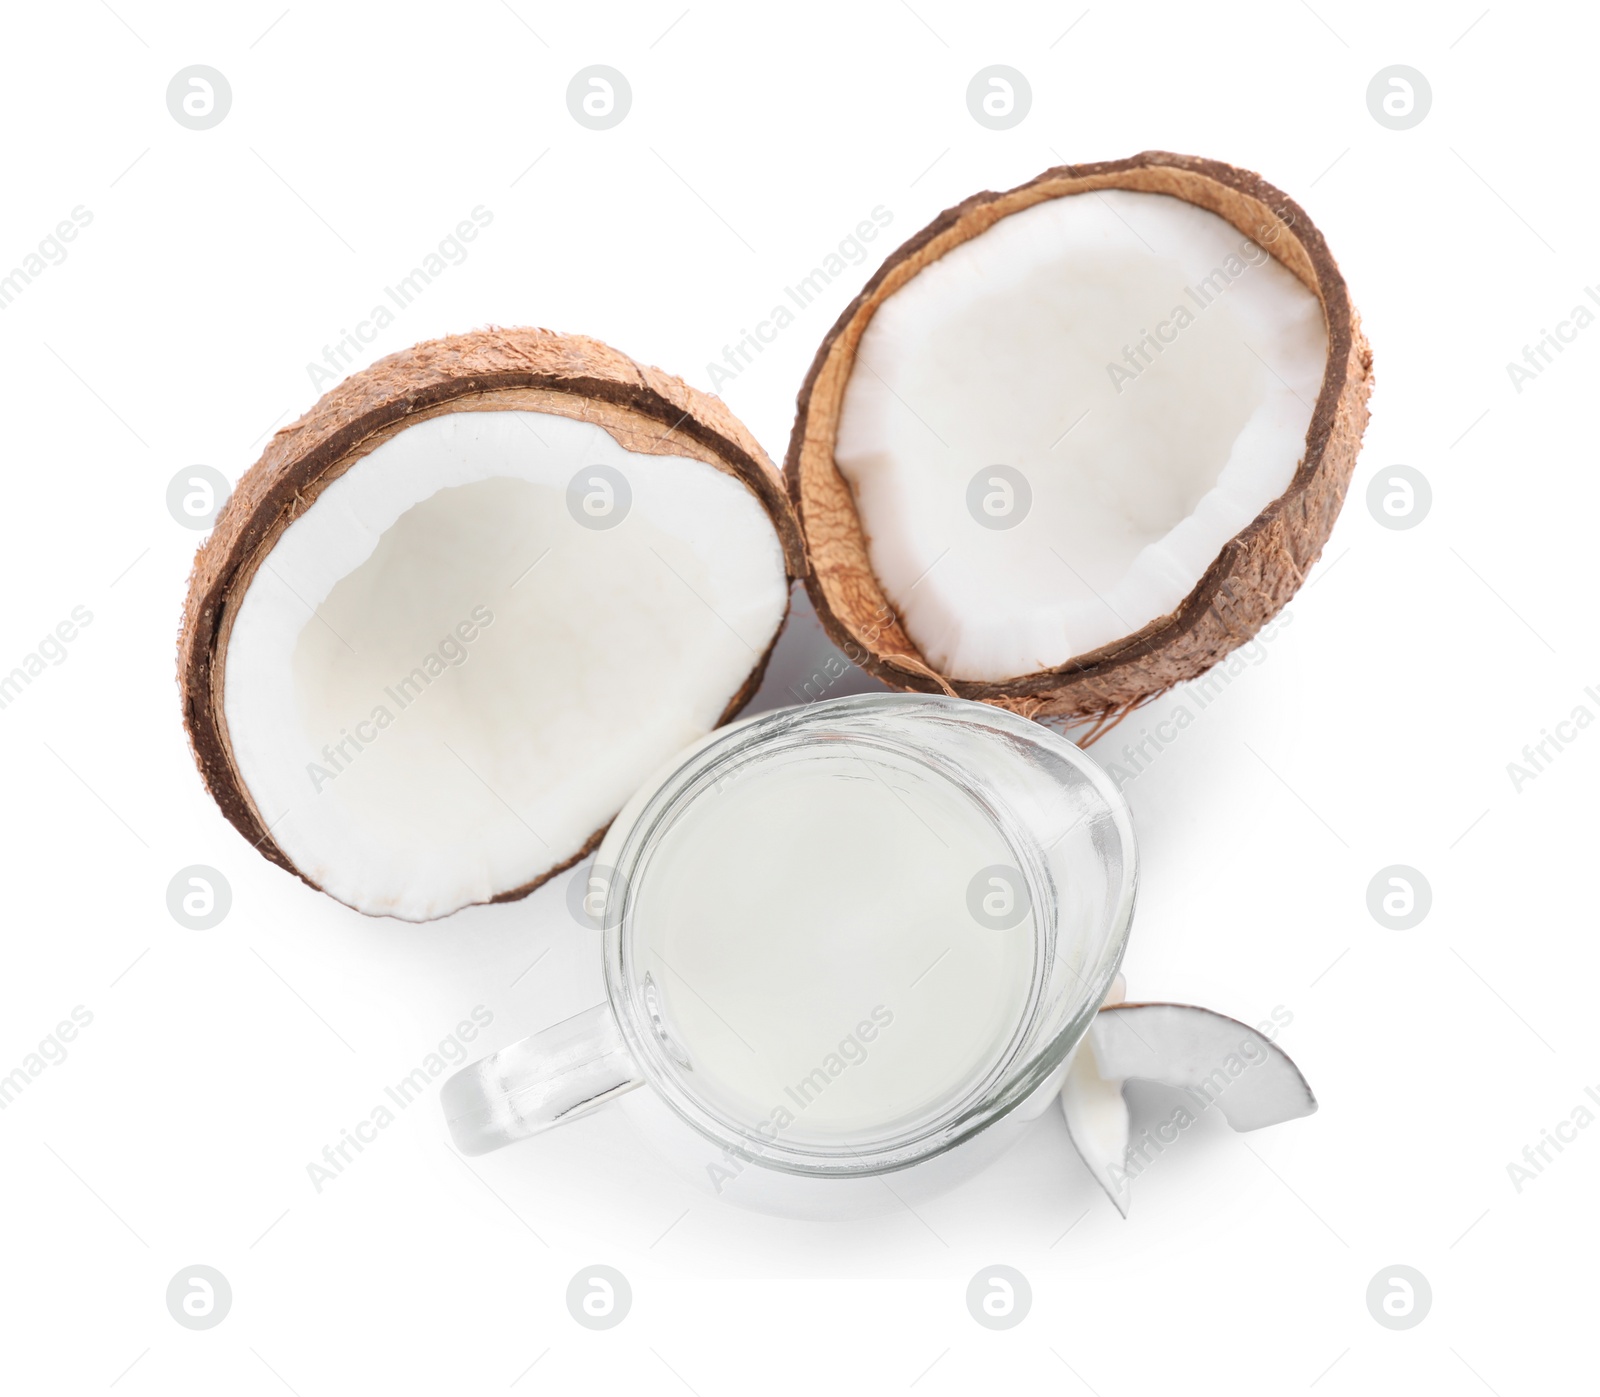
x,y
697,769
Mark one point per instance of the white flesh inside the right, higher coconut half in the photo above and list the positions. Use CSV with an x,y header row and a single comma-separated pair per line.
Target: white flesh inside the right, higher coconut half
x,y
1151,374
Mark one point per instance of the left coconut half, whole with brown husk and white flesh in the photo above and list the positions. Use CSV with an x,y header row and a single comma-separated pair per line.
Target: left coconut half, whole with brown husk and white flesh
x,y
462,610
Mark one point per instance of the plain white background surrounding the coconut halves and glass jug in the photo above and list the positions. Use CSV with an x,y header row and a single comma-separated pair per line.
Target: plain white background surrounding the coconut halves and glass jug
x,y
1377,731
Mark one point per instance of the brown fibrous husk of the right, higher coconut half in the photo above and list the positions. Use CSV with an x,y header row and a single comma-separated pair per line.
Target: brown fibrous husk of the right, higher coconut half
x,y
1255,574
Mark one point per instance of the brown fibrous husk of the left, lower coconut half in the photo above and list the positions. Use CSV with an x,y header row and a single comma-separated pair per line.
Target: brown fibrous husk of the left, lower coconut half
x,y
489,370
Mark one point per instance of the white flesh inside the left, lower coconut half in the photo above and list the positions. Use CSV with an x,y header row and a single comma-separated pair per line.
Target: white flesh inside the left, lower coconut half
x,y
441,684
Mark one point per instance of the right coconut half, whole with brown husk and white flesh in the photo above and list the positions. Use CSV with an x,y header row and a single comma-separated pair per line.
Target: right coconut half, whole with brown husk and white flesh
x,y
1076,442
